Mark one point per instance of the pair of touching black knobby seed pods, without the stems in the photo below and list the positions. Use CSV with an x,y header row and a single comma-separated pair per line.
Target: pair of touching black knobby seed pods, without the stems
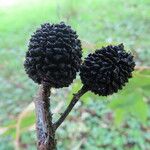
x,y
54,56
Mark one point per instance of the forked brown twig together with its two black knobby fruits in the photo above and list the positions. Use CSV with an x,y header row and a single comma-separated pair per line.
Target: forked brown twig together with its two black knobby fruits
x,y
53,59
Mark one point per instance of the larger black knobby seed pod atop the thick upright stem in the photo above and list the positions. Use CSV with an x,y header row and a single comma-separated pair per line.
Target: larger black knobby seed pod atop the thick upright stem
x,y
54,55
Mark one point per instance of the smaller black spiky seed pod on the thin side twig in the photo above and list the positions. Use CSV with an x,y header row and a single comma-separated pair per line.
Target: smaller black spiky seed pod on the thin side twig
x,y
107,70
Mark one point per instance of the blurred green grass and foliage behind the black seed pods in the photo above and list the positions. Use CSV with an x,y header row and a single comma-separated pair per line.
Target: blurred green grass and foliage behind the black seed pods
x,y
117,122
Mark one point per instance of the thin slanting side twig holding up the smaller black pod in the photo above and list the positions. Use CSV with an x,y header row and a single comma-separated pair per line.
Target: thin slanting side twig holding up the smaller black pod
x,y
74,100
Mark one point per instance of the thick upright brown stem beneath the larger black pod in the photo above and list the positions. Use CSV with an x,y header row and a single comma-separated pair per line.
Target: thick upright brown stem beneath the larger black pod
x,y
44,127
